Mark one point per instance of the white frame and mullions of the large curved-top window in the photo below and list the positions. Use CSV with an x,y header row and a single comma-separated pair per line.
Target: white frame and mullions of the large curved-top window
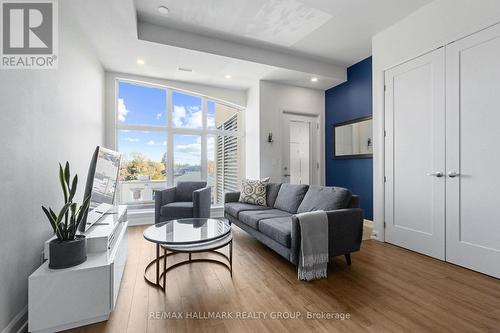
x,y
171,131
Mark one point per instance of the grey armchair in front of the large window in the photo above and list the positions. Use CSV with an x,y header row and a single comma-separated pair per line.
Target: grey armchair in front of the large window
x,y
187,199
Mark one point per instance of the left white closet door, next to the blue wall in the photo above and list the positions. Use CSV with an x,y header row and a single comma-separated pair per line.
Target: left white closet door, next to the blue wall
x,y
415,156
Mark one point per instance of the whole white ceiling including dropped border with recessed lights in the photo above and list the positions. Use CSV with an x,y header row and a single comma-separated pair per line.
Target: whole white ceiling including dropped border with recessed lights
x,y
329,32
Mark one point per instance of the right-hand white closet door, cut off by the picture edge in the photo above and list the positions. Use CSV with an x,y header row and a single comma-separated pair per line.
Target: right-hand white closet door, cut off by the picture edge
x,y
473,153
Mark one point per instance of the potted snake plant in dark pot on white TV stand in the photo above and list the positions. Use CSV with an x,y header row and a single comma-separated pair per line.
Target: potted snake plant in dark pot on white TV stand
x,y
68,248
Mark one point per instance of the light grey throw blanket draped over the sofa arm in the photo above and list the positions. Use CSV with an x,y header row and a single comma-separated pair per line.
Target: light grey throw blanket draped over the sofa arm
x,y
313,258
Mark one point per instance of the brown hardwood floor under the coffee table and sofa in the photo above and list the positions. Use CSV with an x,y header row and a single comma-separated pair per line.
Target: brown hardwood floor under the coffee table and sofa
x,y
387,289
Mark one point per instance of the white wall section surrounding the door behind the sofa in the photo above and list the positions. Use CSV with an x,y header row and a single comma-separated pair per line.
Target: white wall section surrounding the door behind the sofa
x,y
274,99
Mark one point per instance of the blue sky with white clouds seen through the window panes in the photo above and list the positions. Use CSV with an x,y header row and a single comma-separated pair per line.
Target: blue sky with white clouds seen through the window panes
x,y
138,105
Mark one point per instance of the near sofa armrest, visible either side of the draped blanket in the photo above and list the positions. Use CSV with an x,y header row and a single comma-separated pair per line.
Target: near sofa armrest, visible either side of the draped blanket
x,y
345,232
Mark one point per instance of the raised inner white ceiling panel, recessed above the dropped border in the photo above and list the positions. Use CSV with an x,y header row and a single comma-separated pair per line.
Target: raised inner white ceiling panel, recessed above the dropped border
x,y
338,31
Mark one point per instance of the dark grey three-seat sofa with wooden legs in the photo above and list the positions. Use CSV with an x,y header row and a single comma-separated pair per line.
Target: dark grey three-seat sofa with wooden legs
x,y
277,227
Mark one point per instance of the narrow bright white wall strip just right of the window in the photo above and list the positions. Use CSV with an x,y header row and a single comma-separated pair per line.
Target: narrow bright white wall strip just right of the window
x,y
252,133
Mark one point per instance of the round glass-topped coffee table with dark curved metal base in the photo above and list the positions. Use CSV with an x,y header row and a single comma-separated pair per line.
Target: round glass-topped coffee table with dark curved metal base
x,y
191,235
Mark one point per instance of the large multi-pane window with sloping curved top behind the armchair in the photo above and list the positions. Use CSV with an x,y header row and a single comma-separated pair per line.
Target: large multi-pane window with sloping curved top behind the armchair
x,y
167,136
